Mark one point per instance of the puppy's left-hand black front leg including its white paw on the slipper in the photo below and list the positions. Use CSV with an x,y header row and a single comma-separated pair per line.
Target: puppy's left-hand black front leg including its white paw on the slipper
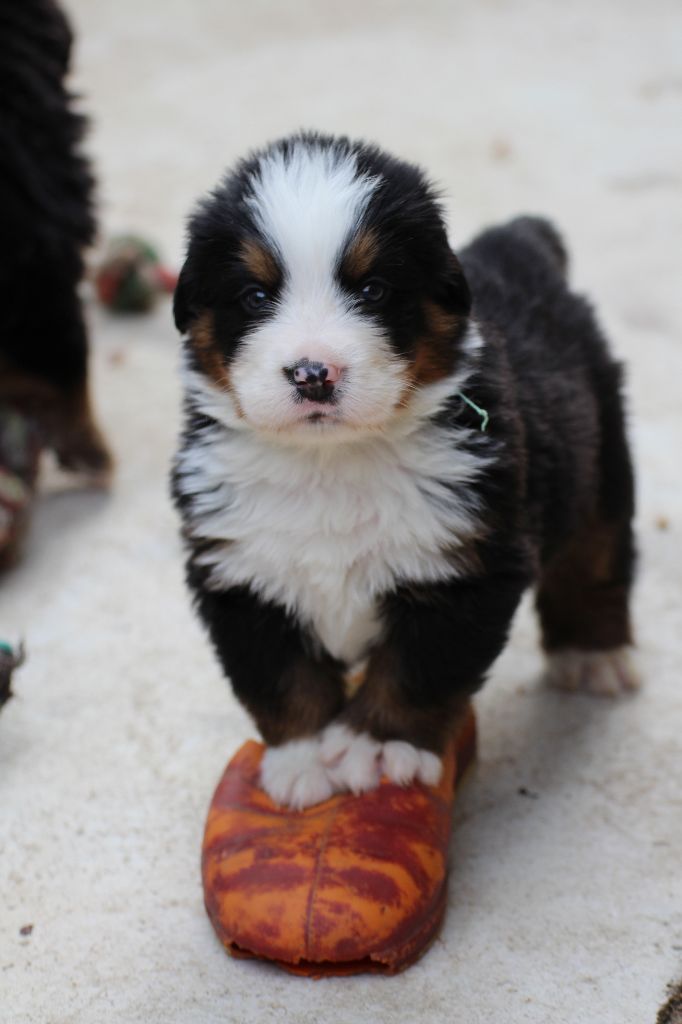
x,y
291,693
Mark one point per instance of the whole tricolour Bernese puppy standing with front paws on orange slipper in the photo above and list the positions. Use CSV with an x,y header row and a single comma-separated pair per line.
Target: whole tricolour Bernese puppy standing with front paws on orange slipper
x,y
385,446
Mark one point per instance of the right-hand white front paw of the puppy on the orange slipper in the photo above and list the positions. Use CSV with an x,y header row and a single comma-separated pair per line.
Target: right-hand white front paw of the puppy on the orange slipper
x,y
357,762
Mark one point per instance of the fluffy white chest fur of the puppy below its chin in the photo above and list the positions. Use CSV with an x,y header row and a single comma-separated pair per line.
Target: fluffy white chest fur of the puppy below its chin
x,y
326,531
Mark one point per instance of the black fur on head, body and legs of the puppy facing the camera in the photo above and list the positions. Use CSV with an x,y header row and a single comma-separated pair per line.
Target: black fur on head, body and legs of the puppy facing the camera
x,y
557,503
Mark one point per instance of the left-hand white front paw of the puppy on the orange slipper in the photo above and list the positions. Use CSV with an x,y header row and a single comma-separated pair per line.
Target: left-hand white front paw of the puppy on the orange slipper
x,y
293,777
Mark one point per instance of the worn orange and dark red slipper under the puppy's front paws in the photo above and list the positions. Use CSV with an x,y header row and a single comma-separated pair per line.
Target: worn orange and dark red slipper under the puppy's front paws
x,y
355,884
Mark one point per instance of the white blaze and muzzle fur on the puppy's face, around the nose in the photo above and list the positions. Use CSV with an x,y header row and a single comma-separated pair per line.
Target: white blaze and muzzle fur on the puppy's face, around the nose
x,y
309,204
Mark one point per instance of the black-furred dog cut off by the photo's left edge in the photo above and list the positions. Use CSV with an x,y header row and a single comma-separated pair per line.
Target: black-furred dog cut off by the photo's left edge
x,y
48,219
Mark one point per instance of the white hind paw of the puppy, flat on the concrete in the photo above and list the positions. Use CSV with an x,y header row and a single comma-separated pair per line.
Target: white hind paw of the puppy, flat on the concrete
x,y
605,673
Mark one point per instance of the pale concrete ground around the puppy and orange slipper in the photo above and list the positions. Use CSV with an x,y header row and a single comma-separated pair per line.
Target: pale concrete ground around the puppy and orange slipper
x,y
566,900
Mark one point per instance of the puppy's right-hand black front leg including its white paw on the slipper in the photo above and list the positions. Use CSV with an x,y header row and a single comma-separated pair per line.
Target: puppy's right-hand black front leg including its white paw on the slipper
x,y
439,644
